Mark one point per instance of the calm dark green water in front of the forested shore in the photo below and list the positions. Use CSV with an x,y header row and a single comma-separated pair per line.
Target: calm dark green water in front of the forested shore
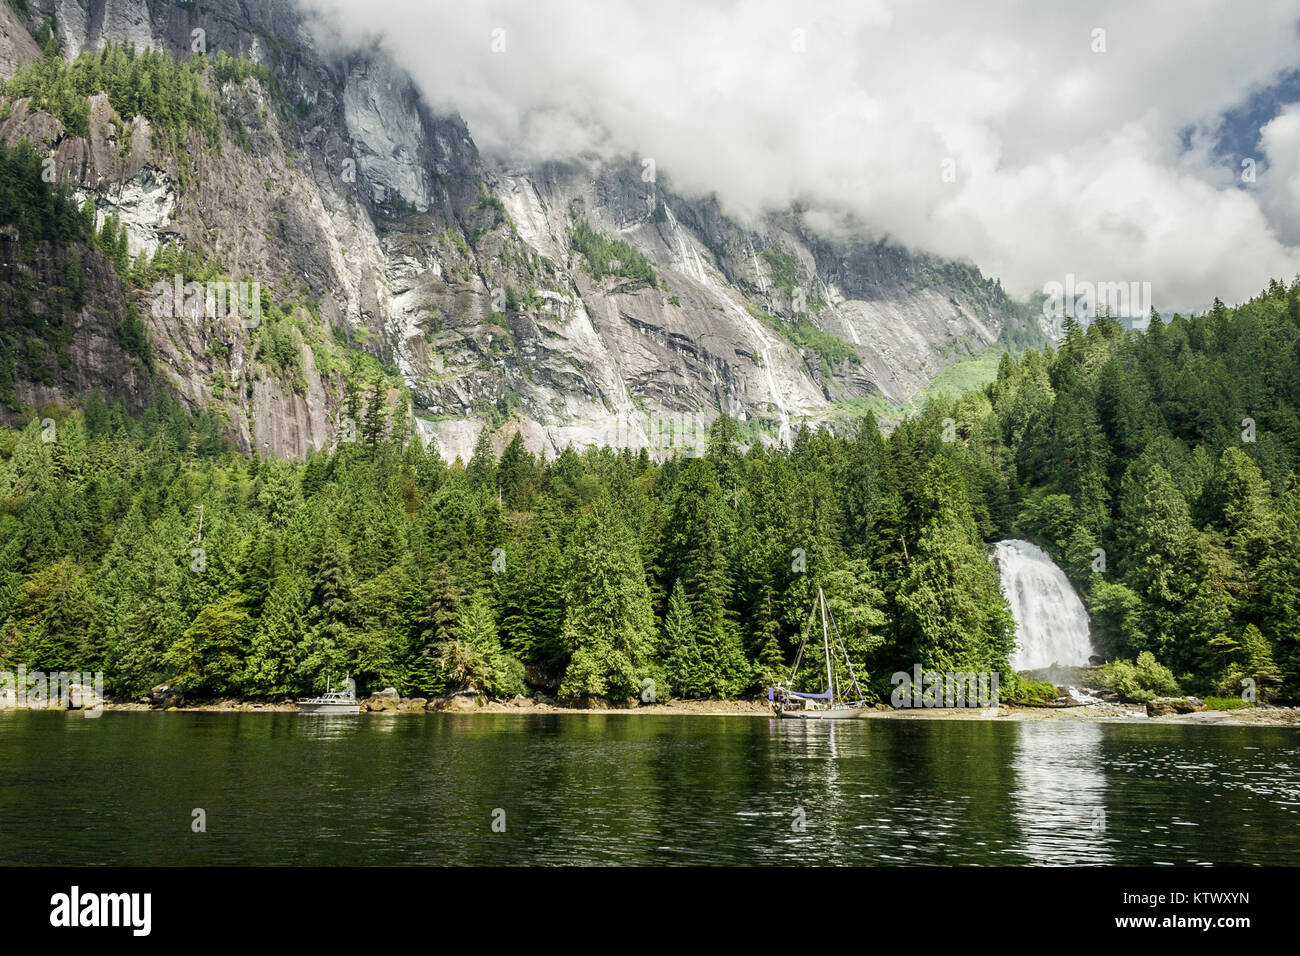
x,y
284,789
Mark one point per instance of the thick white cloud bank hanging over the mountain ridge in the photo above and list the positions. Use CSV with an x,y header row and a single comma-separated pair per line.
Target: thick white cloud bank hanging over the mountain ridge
x,y
1068,161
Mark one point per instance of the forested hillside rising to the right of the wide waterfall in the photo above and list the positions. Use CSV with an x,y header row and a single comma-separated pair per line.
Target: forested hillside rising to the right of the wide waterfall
x,y
1175,453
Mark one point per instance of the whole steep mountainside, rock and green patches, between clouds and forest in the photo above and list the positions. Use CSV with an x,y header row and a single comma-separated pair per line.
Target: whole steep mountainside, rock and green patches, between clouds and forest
x,y
578,302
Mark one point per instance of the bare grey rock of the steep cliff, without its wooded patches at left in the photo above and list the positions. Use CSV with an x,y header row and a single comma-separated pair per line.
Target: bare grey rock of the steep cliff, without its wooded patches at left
x,y
463,276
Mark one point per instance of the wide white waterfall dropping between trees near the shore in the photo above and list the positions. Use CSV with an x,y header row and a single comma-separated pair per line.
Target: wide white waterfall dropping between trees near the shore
x,y
1051,621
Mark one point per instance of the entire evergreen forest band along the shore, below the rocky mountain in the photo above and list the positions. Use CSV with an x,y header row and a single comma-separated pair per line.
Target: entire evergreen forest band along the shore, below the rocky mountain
x,y
151,552
